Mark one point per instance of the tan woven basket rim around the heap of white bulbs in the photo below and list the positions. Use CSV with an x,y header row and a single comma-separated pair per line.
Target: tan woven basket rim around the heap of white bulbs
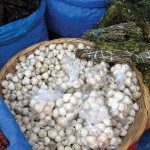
x,y
137,127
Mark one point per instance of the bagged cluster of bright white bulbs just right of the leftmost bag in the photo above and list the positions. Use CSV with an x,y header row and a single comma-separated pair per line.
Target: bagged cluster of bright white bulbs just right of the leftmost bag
x,y
67,108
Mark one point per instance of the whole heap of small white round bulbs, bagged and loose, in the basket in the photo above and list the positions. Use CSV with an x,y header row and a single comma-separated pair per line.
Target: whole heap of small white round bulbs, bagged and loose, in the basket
x,y
94,106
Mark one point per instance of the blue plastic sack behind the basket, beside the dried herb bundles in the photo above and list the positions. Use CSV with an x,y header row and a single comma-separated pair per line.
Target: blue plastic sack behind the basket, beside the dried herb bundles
x,y
71,18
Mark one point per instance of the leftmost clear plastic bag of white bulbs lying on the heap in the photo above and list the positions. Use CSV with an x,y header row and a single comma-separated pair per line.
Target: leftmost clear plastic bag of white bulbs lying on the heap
x,y
43,102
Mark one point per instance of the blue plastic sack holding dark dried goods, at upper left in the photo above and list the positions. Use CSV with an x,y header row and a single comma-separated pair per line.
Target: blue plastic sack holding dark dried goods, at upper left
x,y
17,35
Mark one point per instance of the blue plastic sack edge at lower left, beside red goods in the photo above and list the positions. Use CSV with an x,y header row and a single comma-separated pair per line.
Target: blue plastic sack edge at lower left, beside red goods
x,y
11,130
